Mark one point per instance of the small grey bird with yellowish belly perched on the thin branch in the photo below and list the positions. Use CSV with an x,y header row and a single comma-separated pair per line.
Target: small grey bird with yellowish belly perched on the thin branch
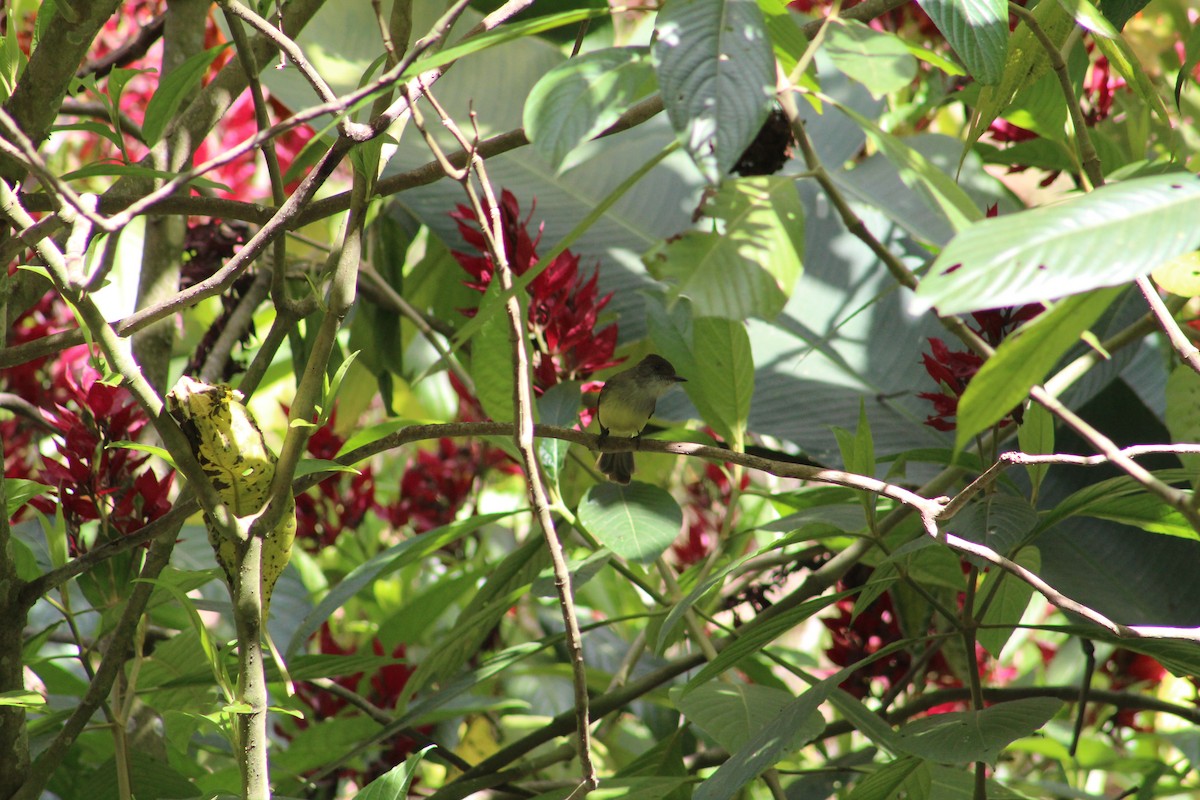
x,y
626,406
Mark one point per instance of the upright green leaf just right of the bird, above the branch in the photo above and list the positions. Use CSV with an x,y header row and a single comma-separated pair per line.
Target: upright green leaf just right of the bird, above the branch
x,y
722,380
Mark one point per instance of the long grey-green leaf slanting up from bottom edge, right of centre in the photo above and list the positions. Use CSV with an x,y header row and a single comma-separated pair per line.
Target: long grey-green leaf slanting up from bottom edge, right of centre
x,y
796,724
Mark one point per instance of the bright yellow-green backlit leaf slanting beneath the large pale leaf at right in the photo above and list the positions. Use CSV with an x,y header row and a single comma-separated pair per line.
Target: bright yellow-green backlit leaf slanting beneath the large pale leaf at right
x,y
1024,360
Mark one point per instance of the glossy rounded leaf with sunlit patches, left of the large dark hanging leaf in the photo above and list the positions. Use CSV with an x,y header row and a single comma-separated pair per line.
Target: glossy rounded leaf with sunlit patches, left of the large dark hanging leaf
x,y
581,98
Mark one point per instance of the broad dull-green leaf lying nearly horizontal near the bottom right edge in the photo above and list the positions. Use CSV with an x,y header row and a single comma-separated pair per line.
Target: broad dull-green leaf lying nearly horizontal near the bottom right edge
x,y
964,737
